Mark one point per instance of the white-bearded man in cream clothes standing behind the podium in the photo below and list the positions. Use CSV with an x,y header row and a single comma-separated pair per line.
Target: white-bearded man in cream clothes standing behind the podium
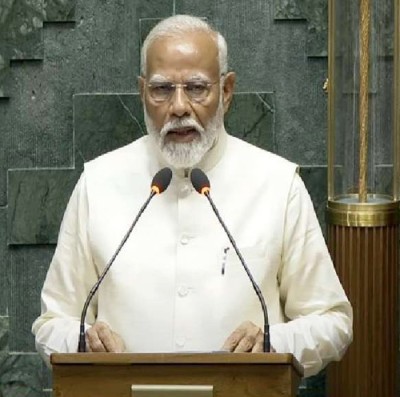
x,y
166,291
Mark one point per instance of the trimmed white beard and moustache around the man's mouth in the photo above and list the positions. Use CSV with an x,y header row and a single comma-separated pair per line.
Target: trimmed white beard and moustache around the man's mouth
x,y
186,155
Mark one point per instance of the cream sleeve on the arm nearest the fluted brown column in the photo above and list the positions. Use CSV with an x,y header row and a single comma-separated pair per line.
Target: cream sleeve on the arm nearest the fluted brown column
x,y
319,326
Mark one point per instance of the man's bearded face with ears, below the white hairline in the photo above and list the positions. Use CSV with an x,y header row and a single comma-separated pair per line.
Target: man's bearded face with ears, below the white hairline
x,y
185,128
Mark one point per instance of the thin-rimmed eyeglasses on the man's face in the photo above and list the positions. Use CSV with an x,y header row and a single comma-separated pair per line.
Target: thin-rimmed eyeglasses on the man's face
x,y
196,91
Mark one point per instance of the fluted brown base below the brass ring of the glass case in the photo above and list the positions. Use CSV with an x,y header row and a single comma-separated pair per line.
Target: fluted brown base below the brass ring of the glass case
x,y
366,260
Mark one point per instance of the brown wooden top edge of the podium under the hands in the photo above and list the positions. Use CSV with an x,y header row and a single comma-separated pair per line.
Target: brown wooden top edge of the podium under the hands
x,y
176,359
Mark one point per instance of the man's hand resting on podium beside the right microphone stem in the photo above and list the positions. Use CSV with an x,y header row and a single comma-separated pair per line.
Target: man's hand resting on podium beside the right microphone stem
x,y
245,338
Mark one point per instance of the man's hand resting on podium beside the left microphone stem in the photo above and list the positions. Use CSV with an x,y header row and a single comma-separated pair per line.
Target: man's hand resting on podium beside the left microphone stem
x,y
100,338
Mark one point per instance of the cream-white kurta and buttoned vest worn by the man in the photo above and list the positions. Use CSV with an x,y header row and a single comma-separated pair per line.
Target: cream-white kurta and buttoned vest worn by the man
x,y
166,292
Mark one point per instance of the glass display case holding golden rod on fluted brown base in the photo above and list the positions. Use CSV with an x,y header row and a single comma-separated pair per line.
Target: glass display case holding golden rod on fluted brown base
x,y
363,188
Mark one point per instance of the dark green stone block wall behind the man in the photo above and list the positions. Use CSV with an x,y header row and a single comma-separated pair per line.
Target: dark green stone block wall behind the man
x,y
68,92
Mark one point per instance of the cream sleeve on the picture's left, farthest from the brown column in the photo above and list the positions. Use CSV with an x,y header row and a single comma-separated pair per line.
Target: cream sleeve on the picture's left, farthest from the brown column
x,y
70,276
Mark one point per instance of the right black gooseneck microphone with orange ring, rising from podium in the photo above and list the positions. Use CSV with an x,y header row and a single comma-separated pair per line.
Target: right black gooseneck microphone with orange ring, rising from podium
x,y
202,185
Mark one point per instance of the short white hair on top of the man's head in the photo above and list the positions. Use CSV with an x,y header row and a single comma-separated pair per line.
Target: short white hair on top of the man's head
x,y
178,25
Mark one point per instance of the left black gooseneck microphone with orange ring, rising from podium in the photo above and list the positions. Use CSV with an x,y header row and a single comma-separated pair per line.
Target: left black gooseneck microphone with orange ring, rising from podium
x,y
159,184
